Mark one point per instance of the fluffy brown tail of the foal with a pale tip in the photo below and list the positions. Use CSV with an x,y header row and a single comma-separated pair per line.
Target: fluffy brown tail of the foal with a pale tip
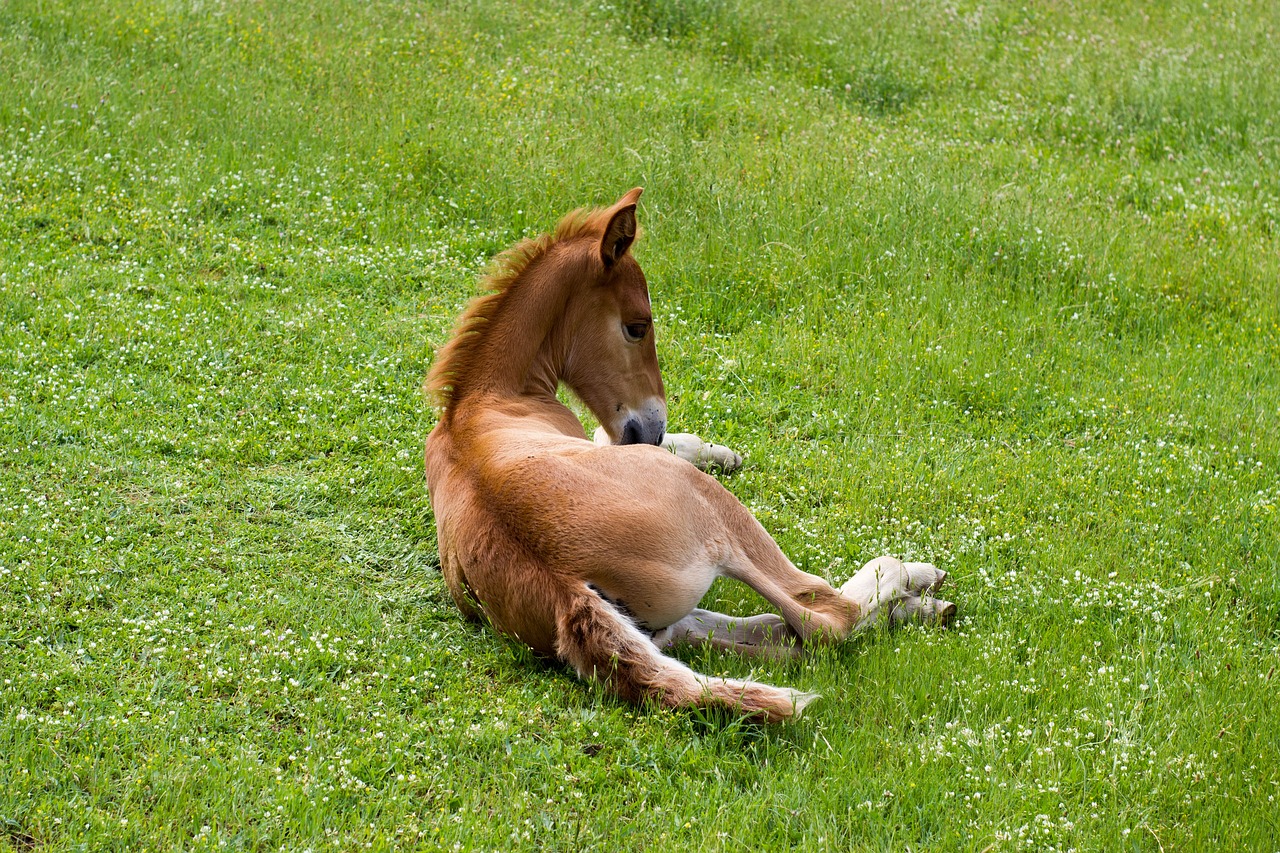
x,y
606,646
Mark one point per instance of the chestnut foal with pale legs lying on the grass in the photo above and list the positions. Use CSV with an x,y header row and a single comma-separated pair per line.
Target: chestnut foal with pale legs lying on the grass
x,y
598,554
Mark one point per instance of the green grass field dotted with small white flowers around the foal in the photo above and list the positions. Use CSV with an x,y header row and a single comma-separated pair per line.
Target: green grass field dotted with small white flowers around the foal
x,y
993,285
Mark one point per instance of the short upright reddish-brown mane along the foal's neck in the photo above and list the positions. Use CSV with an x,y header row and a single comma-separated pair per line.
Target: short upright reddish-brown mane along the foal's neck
x,y
455,359
